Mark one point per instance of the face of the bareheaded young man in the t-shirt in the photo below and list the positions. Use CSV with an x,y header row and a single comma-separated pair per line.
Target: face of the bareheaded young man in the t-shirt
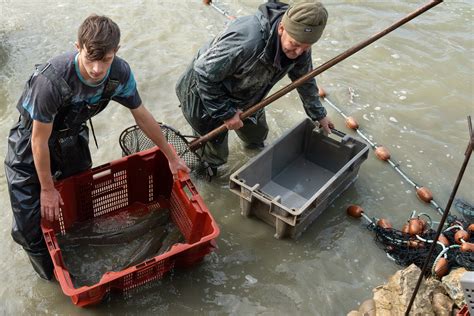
x,y
94,70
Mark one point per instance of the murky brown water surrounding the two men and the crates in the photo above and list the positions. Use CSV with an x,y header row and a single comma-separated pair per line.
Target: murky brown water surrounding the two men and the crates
x,y
410,91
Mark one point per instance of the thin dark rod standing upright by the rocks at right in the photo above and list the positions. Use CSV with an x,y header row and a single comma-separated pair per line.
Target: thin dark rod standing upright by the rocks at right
x,y
467,156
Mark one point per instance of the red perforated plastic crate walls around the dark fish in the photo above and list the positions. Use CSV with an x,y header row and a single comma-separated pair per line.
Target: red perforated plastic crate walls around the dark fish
x,y
142,180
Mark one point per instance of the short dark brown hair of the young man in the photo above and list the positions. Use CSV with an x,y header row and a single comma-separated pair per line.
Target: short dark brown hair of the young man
x,y
99,35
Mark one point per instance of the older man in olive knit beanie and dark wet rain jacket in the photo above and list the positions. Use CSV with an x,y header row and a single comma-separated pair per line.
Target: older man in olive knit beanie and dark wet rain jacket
x,y
239,67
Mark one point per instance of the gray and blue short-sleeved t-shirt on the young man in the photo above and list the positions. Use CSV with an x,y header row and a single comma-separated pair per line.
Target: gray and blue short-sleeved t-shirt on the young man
x,y
41,100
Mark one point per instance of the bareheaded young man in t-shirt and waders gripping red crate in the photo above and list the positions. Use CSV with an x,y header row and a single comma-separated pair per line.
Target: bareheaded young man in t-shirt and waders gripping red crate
x,y
50,141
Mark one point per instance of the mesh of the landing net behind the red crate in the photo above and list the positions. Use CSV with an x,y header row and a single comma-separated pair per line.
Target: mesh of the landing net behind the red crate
x,y
133,140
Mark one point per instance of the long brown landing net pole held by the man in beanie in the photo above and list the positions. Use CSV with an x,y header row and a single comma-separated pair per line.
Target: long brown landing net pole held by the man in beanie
x,y
198,143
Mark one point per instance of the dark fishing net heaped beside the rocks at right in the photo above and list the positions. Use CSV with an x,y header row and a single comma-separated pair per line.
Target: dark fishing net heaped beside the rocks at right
x,y
406,249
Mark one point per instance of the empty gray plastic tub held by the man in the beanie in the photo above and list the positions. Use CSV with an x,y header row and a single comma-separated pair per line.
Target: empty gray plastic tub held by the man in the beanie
x,y
290,183
